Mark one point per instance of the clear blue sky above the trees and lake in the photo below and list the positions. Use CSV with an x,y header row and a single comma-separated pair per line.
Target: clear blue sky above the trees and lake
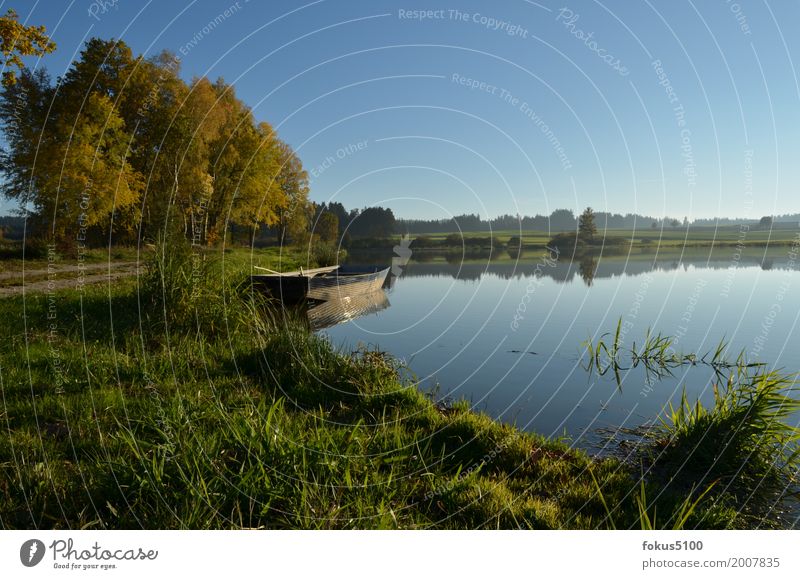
x,y
679,108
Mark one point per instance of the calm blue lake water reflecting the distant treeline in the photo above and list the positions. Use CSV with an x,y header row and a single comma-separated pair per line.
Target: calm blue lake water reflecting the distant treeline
x,y
506,332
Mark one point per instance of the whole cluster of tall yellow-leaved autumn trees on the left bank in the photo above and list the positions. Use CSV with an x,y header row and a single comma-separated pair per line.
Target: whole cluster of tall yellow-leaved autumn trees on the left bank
x,y
124,144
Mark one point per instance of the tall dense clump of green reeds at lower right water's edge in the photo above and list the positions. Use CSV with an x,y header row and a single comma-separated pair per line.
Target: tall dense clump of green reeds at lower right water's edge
x,y
743,443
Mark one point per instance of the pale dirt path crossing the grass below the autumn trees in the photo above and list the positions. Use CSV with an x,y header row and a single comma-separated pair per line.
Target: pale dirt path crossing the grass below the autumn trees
x,y
55,281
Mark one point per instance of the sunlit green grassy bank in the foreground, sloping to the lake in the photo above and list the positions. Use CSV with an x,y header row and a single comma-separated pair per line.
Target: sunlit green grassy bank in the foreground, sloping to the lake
x,y
173,403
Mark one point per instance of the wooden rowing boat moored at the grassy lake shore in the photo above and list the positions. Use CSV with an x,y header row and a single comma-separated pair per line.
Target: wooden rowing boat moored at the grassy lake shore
x,y
320,284
